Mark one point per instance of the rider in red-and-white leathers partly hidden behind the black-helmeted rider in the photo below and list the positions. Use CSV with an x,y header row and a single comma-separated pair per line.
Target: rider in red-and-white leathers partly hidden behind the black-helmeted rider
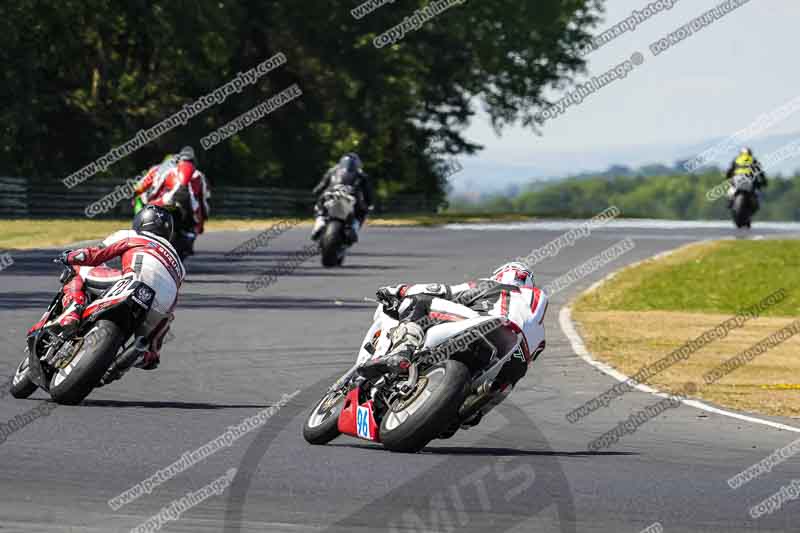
x,y
177,182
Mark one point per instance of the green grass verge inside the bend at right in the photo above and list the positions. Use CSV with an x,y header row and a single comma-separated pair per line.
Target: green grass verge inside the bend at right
x,y
720,277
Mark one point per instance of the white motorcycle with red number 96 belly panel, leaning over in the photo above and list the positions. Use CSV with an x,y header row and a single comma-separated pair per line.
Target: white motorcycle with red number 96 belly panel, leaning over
x,y
442,389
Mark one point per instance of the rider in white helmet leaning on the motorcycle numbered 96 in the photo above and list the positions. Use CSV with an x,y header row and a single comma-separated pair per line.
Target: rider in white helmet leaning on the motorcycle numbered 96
x,y
510,293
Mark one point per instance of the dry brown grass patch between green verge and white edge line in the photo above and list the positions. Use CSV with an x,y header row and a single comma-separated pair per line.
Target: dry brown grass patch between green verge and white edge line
x,y
629,340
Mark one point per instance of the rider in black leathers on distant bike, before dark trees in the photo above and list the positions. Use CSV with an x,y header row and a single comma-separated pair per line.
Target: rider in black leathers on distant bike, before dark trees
x,y
348,171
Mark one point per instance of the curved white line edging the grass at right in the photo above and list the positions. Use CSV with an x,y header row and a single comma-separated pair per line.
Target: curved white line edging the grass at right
x,y
579,348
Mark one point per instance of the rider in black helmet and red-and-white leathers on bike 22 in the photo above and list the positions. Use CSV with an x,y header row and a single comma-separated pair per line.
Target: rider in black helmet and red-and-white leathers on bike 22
x,y
147,256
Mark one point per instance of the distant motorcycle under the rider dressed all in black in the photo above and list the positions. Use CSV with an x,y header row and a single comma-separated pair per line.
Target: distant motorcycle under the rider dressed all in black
x,y
337,206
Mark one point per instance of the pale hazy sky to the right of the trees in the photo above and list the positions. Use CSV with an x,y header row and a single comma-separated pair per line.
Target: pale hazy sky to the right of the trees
x,y
711,85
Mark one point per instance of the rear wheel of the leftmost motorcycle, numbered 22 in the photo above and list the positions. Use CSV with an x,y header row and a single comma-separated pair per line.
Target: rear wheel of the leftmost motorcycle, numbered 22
x,y
72,383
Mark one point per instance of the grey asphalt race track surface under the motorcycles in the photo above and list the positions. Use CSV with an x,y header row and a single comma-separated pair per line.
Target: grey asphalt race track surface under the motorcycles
x,y
526,468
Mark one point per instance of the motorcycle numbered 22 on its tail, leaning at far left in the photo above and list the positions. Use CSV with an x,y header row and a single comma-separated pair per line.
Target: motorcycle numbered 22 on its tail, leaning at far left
x,y
70,367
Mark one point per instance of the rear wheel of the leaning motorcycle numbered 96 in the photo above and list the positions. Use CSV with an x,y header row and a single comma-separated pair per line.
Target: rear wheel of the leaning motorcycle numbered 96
x,y
412,423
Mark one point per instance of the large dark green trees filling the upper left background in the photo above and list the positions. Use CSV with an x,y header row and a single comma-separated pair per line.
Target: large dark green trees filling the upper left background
x,y
80,77
